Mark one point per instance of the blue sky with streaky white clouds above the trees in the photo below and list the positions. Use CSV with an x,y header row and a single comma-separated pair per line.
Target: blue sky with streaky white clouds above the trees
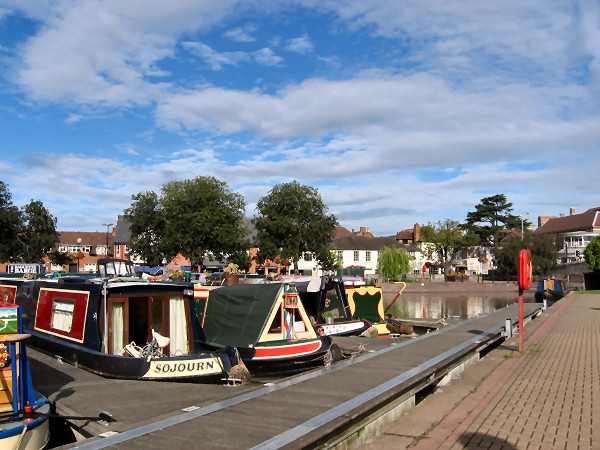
x,y
398,112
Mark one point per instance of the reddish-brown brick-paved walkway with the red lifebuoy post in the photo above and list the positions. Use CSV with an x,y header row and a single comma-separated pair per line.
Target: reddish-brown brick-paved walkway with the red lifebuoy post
x,y
546,397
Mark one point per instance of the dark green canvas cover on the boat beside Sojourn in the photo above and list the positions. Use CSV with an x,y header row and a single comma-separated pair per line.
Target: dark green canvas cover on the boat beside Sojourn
x,y
236,315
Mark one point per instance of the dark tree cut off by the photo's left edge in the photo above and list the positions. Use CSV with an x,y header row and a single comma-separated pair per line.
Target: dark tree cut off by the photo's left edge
x,y
10,225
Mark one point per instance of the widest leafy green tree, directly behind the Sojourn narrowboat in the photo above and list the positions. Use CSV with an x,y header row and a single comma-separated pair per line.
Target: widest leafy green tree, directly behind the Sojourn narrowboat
x,y
192,217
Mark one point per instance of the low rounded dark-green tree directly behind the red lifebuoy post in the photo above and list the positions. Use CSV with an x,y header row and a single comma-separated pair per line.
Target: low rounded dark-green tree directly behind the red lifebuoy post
x,y
543,254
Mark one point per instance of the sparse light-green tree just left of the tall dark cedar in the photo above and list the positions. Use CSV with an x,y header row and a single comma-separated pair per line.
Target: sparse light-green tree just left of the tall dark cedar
x,y
447,239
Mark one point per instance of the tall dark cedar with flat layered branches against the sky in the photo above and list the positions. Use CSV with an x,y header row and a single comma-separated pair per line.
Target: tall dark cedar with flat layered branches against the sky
x,y
490,216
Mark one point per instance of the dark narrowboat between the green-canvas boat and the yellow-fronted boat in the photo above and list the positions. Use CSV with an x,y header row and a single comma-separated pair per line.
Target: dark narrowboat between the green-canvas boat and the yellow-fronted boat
x,y
327,305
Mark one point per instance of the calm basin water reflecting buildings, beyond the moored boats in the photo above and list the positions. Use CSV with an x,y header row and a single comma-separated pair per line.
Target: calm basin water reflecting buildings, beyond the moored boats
x,y
449,306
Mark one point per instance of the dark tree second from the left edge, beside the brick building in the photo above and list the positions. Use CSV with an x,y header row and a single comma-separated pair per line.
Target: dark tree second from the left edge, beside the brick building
x,y
38,233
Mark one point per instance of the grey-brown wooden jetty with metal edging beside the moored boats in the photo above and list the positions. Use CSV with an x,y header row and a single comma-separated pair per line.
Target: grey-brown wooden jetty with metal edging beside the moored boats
x,y
300,411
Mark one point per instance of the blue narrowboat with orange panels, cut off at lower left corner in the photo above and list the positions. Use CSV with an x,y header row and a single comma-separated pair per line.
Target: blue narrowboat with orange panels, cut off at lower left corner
x,y
24,412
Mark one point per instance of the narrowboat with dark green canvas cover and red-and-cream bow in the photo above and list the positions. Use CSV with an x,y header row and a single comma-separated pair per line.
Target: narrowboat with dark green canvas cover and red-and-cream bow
x,y
268,325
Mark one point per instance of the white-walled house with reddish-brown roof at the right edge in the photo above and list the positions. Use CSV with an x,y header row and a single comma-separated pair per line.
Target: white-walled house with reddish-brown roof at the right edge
x,y
571,233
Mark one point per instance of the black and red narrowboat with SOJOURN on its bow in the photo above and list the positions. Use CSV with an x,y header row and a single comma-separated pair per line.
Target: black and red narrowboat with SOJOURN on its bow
x,y
121,327
